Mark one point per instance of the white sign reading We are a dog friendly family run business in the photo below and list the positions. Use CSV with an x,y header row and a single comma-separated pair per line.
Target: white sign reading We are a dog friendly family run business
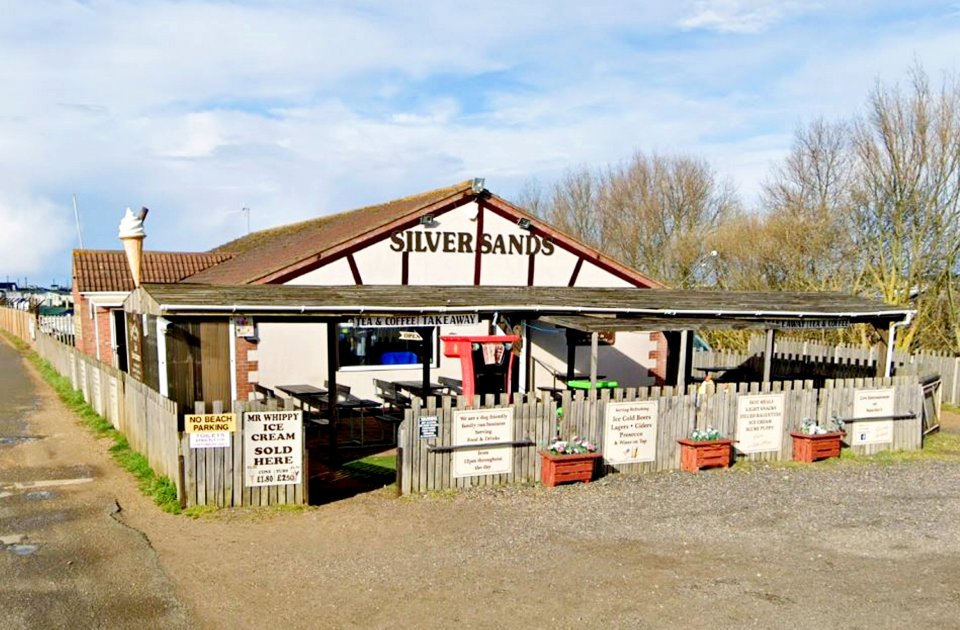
x,y
483,426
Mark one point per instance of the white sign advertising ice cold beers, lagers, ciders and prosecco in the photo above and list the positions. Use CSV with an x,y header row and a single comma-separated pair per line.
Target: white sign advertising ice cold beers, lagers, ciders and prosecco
x,y
630,432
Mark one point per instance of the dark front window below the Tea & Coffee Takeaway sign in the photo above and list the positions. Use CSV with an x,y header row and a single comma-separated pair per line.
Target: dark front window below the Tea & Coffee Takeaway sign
x,y
381,347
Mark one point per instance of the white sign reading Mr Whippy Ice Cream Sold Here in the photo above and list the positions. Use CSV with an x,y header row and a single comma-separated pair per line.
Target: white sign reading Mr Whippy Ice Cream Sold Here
x,y
272,447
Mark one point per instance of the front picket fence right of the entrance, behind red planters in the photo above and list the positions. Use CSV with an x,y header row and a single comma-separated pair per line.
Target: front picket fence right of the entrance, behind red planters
x,y
427,464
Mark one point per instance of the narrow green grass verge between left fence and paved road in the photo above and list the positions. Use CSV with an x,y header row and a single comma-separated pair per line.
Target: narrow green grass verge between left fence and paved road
x,y
161,489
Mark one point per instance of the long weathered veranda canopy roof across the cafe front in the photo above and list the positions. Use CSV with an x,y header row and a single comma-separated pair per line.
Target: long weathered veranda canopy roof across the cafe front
x,y
576,307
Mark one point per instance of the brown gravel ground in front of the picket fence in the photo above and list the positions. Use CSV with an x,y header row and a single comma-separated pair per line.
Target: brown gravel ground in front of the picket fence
x,y
825,546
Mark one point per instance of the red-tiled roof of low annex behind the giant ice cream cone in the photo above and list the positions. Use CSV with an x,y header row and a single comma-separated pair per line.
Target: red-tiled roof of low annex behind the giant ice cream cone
x,y
108,270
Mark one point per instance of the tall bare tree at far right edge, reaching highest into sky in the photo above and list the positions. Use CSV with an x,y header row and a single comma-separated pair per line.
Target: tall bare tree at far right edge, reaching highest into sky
x,y
905,217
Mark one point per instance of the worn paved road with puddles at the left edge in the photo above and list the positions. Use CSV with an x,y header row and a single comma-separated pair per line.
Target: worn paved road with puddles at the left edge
x,y
67,560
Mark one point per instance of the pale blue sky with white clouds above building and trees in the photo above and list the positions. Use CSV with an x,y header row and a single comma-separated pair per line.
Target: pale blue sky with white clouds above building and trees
x,y
297,109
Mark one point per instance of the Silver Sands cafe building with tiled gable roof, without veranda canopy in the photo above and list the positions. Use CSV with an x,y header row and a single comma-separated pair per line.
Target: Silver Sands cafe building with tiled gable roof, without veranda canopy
x,y
459,236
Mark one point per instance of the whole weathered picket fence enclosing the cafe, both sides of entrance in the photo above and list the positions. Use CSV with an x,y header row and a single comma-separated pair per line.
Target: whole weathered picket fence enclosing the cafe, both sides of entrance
x,y
214,476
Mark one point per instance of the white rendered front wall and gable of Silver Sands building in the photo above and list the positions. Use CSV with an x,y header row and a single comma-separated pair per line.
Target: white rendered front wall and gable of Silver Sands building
x,y
296,353
